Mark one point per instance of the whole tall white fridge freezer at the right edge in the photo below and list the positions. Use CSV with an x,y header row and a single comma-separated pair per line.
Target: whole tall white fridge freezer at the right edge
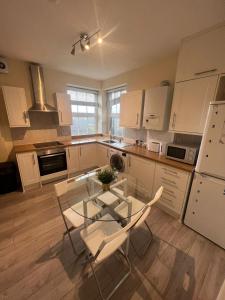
x,y
206,206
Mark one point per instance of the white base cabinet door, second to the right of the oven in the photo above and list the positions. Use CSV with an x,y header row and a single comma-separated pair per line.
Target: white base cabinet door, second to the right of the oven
x,y
87,156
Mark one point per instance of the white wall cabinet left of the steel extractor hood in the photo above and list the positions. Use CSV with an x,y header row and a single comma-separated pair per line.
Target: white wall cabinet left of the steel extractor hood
x,y
16,106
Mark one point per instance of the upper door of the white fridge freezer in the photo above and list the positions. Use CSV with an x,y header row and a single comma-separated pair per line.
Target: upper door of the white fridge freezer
x,y
211,158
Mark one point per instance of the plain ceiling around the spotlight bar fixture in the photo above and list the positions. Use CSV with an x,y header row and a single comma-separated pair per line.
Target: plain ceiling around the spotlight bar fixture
x,y
135,31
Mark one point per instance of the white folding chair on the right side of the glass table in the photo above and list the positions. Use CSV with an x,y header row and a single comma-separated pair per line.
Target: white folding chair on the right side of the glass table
x,y
137,205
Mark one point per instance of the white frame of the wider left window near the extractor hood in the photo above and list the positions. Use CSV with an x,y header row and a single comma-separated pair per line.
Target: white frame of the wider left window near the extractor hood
x,y
94,104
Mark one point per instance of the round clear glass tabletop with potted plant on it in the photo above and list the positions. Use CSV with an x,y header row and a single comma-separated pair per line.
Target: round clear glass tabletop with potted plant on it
x,y
122,199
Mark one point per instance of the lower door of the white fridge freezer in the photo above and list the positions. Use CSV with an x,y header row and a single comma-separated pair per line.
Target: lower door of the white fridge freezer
x,y
206,208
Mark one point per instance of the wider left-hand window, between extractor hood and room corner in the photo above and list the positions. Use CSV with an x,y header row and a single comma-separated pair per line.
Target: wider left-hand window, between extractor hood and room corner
x,y
84,105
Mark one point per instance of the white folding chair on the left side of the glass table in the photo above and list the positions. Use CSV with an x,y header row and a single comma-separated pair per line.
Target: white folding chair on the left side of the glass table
x,y
75,213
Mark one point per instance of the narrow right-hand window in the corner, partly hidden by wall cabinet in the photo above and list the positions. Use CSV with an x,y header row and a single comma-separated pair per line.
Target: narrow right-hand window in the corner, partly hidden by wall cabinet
x,y
113,103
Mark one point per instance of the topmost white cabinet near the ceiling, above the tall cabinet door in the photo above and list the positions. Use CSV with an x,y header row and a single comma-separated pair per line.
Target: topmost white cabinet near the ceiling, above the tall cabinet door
x,y
202,55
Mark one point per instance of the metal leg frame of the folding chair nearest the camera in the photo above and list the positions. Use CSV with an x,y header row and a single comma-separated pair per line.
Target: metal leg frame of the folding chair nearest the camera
x,y
118,284
